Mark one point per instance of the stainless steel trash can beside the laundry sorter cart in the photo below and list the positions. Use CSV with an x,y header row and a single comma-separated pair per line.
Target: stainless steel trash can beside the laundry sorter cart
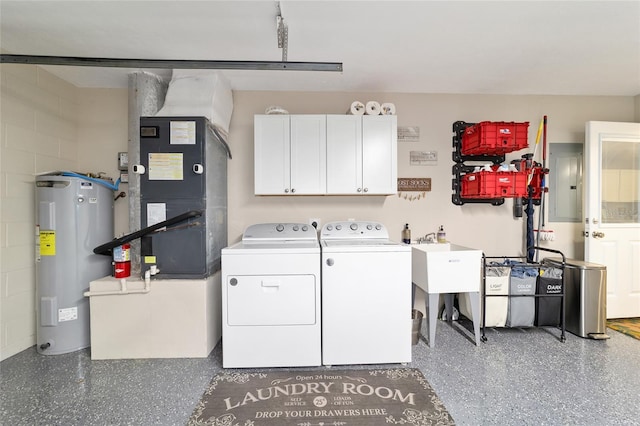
x,y
585,297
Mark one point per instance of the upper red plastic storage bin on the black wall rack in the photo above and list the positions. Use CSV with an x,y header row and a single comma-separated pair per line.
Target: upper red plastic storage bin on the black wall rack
x,y
494,138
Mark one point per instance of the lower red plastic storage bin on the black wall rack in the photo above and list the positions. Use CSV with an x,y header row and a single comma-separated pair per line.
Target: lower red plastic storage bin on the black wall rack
x,y
495,184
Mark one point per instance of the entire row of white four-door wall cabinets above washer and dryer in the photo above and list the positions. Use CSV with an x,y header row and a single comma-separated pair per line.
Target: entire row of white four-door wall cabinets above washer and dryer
x,y
332,155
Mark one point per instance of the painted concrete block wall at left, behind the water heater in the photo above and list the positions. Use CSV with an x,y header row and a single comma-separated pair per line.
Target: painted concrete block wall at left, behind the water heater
x,y
38,133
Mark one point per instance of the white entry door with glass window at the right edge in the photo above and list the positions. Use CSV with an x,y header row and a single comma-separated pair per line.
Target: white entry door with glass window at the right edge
x,y
611,205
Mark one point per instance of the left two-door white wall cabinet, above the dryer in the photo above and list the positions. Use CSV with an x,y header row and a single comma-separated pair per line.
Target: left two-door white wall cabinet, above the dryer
x,y
290,154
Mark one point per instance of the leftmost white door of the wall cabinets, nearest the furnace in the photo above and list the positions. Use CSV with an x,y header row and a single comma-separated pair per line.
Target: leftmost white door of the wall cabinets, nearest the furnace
x,y
271,151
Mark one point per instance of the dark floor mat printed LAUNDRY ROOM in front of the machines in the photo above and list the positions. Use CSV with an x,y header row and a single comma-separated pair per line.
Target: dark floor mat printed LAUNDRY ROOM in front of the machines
x,y
323,397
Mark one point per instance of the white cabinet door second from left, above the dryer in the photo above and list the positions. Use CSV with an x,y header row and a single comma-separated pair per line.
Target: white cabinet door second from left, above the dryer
x,y
308,154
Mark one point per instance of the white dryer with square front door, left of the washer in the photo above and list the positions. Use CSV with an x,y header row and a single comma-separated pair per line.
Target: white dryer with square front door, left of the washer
x,y
271,298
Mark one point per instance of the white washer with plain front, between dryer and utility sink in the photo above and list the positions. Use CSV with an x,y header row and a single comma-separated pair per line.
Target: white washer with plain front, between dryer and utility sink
x,y
366,295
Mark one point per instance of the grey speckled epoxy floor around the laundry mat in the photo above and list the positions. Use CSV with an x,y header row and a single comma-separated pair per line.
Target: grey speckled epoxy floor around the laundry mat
x,y
518,377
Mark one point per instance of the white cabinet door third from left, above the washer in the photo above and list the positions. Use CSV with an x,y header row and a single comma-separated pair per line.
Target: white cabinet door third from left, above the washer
x,y
344,154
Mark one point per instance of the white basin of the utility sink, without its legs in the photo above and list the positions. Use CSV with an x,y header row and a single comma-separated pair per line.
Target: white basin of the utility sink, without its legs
x,y
446,268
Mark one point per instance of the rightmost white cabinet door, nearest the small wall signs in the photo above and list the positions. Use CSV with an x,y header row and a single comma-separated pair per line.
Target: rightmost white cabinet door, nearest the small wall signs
x,y
379,154
